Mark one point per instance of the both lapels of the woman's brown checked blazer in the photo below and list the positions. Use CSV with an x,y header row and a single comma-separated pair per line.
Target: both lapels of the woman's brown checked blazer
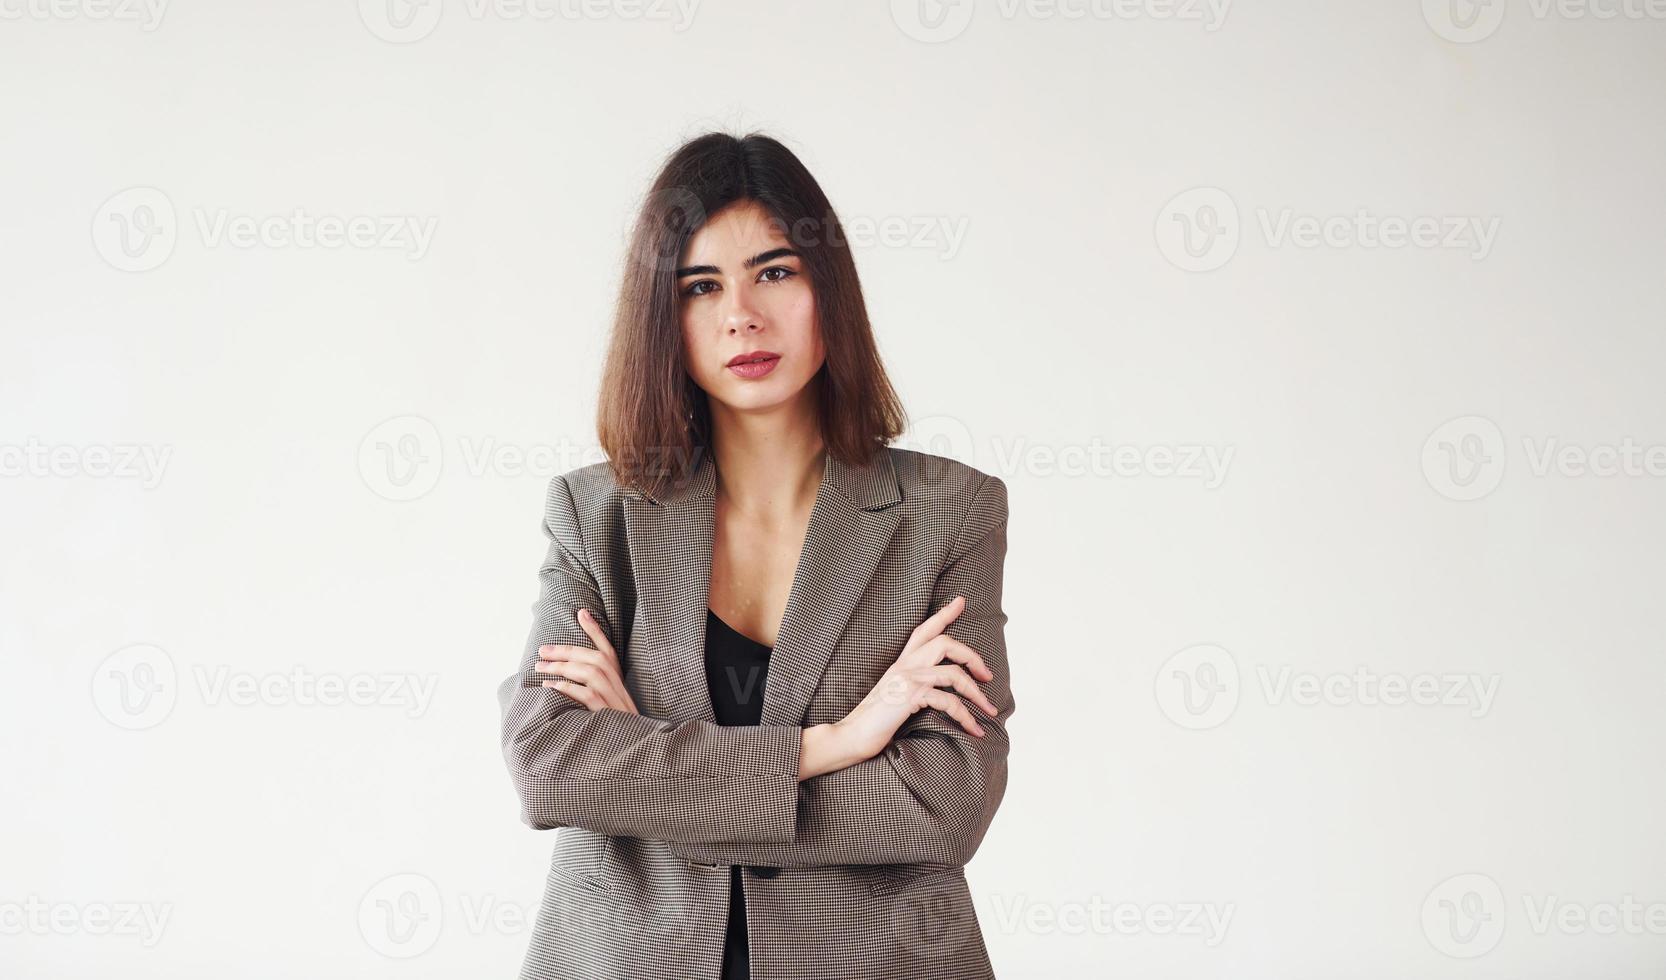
x,y
671,544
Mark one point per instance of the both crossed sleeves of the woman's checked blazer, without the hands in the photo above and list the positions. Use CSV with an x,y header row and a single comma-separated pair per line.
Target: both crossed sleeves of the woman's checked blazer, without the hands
x,y
732,794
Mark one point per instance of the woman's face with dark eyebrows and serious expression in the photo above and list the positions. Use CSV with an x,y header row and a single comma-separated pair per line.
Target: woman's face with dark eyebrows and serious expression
x,y
744,289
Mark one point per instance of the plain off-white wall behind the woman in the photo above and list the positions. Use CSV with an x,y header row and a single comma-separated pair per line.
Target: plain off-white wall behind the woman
x,y
1054,291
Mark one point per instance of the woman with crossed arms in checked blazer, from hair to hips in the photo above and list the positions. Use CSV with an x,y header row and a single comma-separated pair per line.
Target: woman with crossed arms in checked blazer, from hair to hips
x,y
766,691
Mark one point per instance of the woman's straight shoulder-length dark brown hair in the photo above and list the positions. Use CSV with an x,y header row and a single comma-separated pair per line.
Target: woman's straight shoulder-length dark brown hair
x,y
652,419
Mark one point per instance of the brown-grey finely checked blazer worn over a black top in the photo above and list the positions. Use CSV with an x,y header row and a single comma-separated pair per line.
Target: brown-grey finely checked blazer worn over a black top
x,y
849,876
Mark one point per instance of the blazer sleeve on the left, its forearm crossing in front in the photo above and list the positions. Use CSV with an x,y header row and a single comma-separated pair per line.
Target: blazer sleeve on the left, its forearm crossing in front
x,y
621,774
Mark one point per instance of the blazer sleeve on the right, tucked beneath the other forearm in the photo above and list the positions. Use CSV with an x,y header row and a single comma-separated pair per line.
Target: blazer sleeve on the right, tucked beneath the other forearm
x,y
934,792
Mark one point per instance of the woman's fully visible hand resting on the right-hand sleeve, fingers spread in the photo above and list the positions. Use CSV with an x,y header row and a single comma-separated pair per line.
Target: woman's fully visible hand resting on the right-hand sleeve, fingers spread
x,y
912,684
